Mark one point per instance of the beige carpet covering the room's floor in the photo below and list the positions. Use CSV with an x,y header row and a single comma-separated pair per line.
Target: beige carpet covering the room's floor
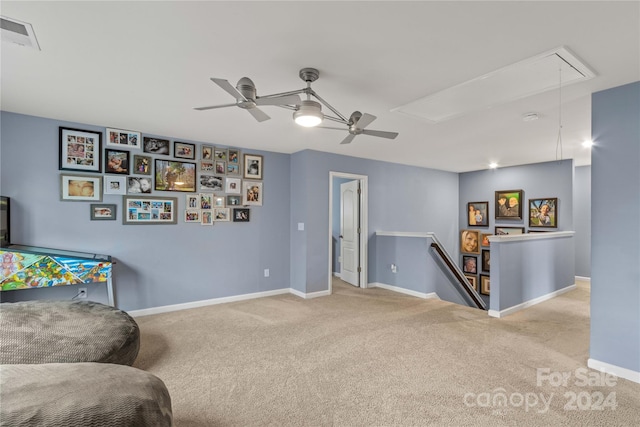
x,y
372,357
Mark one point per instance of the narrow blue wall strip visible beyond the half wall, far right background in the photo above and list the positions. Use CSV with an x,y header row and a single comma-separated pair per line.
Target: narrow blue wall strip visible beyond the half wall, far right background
x,y
582,220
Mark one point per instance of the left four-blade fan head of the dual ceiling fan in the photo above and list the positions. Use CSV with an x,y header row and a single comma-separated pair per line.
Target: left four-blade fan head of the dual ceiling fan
x,y
247,99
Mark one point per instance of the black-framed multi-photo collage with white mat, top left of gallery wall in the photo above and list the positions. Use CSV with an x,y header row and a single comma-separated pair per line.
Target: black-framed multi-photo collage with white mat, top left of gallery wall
x,y
80,150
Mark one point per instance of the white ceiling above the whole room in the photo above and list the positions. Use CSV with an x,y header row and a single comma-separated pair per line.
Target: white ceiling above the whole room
x,y
143,66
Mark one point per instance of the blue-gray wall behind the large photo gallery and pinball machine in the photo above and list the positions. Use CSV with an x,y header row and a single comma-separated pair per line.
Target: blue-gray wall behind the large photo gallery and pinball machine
x,y
156,265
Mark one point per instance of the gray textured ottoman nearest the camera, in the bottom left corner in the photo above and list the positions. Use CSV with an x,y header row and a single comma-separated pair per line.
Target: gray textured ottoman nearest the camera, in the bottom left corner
x,y
82,395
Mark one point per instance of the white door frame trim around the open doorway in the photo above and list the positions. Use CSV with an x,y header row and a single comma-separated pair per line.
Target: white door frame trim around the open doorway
x,y
364,228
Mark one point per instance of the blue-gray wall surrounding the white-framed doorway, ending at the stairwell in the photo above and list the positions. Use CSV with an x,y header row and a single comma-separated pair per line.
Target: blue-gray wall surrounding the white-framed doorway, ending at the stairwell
x,y
401,198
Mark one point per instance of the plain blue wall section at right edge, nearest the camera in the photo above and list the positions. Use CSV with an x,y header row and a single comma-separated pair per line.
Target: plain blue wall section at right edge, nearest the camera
x,y
615,227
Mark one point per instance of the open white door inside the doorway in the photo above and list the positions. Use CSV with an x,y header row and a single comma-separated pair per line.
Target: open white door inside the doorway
x,y
349,232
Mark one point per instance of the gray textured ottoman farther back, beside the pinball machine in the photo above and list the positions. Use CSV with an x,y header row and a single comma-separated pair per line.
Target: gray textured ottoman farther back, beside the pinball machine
x,y
66,331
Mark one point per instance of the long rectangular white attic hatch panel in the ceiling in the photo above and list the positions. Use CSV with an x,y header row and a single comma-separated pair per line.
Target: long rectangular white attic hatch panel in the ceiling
x,y
520,80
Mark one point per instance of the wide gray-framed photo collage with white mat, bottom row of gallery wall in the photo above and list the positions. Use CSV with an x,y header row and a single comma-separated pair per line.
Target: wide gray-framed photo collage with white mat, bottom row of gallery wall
x,y
149,210
